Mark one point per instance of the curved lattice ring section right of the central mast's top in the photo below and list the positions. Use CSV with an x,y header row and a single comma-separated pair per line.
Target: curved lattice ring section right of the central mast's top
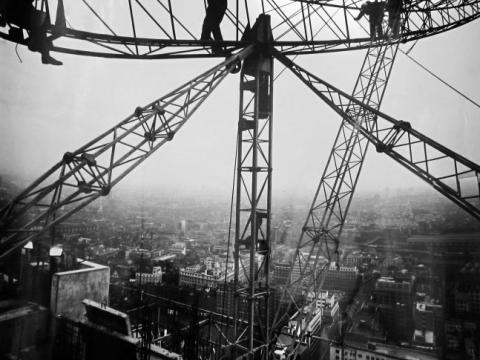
x,y
299,30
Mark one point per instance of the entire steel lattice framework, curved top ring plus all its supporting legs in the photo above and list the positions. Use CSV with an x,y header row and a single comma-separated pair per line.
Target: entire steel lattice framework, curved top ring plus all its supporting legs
x,y
297,27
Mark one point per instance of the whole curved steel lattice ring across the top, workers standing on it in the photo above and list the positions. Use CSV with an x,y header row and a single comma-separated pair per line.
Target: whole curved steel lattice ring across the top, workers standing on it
x,y
156,29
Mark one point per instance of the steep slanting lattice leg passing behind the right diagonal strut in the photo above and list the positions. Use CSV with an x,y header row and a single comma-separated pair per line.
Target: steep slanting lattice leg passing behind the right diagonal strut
x,y
322,228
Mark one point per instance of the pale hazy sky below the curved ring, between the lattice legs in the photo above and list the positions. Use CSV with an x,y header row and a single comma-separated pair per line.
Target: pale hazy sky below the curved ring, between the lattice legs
x,y
48,110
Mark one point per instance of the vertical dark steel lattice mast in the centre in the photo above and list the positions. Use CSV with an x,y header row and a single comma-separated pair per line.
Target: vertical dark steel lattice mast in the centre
x,y
254,199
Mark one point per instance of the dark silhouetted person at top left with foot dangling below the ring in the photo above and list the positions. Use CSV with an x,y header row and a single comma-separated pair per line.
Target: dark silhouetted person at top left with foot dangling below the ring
x,y
23,14
